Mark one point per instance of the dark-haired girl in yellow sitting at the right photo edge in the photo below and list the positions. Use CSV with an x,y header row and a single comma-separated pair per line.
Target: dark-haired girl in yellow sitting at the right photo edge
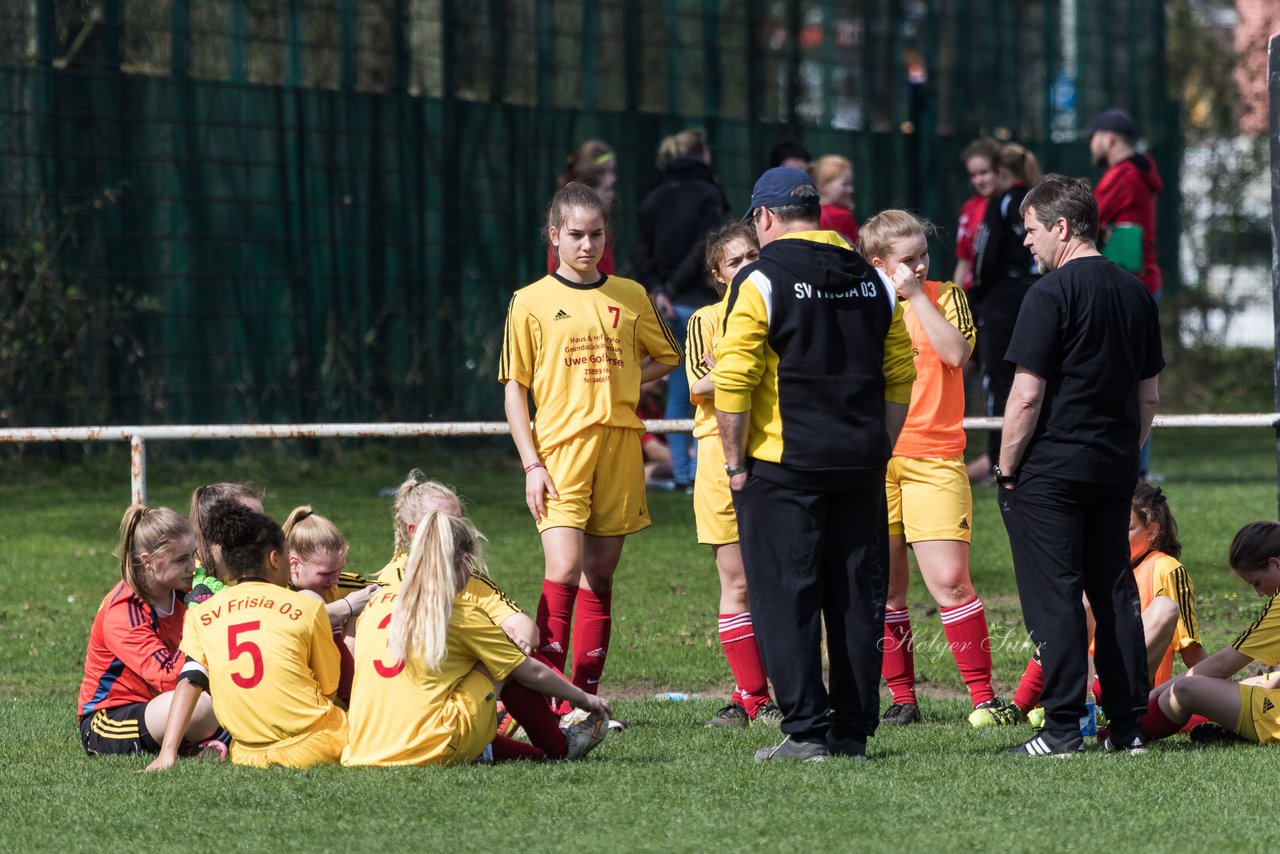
x,y
1251,709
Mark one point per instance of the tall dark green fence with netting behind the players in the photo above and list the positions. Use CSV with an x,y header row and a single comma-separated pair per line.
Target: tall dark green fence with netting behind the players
x,y
309,211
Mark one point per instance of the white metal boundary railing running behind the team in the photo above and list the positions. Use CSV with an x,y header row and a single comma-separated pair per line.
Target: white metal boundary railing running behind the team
x,y
139,436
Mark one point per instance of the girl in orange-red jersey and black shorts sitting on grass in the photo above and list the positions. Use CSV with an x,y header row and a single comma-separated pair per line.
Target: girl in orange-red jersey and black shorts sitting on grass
x,y
132,663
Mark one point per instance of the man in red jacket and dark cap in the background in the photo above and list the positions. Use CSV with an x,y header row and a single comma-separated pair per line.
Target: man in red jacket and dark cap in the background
x,y
1128,189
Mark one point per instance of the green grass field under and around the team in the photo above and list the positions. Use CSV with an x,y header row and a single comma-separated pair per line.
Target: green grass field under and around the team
x,y
666,783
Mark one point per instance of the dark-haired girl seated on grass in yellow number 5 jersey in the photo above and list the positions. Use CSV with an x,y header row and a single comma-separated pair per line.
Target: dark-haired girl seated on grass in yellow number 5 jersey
x,y
264,652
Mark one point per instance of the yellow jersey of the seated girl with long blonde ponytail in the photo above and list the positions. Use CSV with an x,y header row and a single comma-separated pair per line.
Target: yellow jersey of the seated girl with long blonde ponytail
x,y
404,715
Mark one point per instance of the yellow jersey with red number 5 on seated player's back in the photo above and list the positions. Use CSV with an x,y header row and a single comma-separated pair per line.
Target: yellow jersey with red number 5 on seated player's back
x,y
271,657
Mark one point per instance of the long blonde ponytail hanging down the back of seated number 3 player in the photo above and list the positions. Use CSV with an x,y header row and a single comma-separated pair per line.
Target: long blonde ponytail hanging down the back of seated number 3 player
x,y
446,550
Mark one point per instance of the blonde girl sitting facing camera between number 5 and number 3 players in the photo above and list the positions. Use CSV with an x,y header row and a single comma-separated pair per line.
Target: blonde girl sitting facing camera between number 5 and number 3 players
x,y
318,554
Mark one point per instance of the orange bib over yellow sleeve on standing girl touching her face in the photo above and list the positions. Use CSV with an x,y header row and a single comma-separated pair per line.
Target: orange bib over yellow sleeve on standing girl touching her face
x,y
935,422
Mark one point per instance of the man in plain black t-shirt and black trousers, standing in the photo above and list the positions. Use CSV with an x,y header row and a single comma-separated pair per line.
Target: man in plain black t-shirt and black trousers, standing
x,y
1087,362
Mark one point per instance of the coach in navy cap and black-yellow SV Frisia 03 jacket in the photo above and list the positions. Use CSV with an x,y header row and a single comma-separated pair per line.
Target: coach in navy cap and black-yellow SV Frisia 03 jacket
x,y
813,378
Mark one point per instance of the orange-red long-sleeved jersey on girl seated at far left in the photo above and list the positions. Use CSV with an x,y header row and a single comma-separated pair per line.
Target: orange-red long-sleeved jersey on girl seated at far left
x,y
132,651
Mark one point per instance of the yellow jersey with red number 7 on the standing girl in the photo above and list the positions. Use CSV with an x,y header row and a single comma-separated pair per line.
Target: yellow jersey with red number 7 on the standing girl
x,y
578,349
